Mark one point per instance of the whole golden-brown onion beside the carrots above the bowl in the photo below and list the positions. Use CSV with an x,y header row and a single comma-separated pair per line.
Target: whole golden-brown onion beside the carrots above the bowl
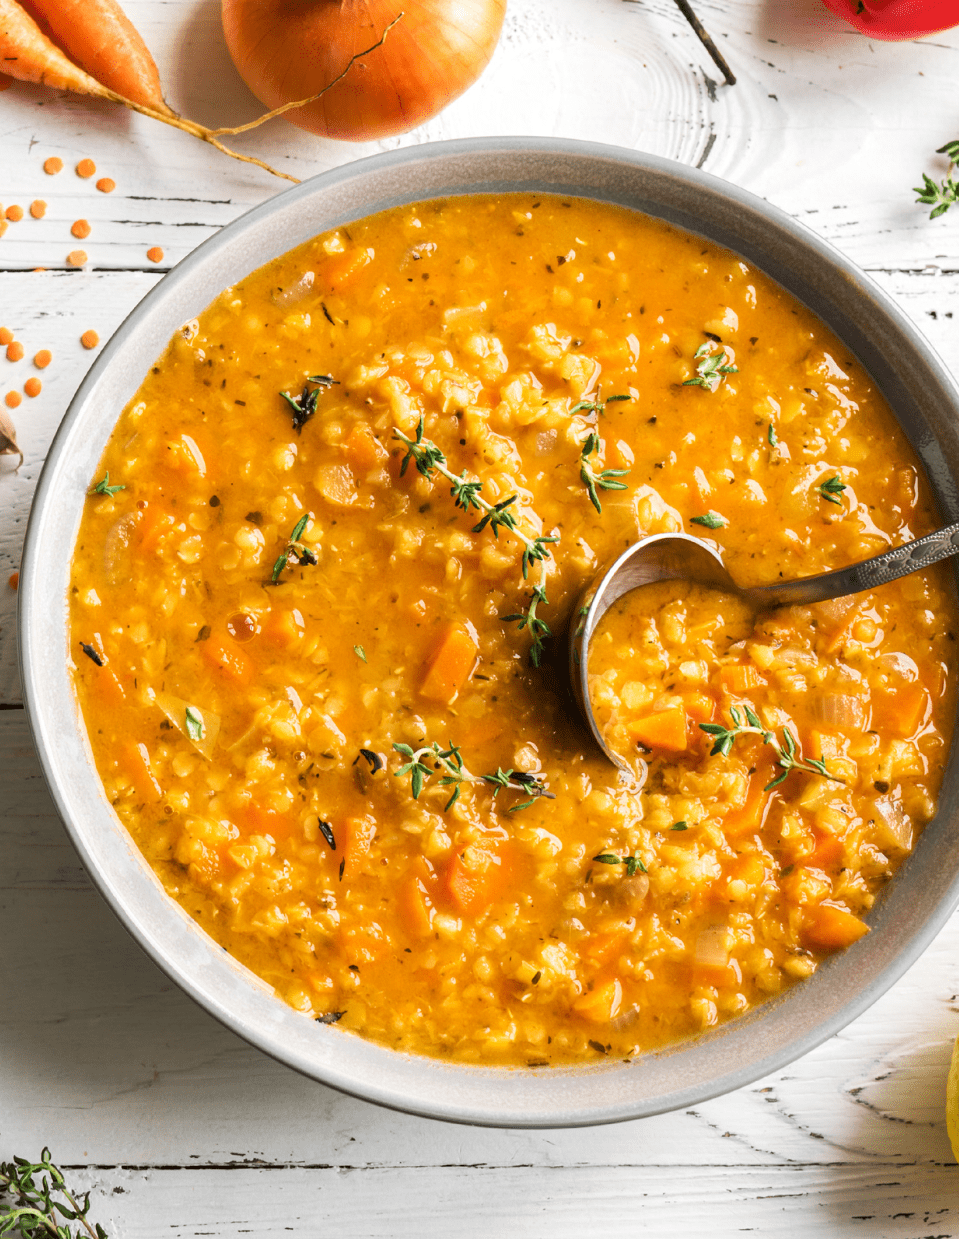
x,y
289,50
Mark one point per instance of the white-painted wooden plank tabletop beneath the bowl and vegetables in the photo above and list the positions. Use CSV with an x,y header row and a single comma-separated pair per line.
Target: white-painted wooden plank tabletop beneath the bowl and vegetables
x,y
179,1127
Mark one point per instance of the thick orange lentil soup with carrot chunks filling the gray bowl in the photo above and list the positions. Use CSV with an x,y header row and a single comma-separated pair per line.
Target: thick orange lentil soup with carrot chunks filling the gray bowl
x,y
267,604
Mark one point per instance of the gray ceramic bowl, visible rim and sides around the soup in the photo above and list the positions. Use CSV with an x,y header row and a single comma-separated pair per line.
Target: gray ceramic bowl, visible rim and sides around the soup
x,y
915,382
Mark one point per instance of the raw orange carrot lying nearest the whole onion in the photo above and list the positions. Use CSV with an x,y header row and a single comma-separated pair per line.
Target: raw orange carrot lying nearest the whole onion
x,y
100,38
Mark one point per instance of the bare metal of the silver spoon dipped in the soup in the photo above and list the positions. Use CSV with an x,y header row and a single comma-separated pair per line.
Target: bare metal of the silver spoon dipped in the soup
x,y
682,558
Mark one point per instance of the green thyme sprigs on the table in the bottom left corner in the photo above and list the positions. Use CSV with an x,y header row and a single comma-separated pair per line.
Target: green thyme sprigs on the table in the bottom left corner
x,y
34,1188
